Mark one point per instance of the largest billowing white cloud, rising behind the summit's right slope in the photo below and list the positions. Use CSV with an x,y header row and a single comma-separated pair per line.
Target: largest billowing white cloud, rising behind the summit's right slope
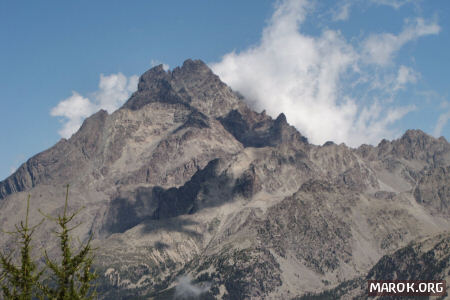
x,y
314,79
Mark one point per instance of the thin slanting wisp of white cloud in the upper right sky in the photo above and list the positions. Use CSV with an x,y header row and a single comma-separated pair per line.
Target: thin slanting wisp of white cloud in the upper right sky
x,y
381,48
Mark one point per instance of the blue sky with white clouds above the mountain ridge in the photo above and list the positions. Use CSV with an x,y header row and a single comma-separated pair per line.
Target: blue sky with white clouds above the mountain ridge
x,y
352,71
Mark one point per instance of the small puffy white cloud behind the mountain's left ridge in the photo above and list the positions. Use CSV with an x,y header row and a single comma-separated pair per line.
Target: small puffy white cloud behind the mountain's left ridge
x,y
113,90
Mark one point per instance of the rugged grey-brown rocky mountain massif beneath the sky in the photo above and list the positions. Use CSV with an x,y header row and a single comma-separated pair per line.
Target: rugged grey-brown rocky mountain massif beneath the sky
x,y
186,180
